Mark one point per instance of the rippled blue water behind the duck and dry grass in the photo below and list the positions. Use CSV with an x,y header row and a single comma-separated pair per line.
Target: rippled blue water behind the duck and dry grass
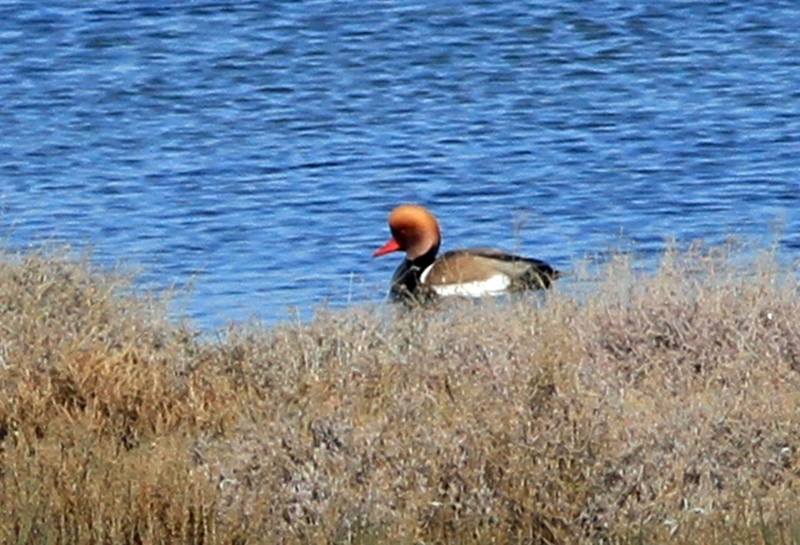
x,y
252,150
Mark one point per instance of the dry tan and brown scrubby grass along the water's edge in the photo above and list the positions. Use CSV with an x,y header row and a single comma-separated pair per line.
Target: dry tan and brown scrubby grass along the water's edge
x,y
662,408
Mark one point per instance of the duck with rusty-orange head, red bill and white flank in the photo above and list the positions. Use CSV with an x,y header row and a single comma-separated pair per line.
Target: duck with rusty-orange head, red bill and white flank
x,y
472,273
